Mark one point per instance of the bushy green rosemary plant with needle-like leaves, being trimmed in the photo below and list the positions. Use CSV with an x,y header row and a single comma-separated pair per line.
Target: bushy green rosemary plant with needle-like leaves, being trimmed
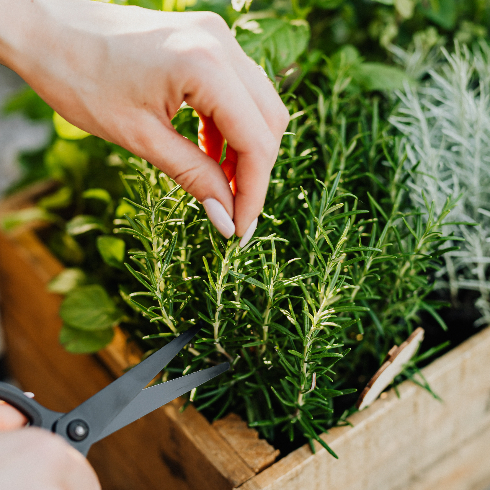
x,y
340,261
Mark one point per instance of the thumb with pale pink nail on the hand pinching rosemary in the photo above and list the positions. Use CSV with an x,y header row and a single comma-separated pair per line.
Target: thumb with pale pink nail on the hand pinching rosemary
x,y
197,173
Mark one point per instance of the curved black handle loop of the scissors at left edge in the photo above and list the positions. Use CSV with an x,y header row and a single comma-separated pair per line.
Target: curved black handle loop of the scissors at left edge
x,y
36,414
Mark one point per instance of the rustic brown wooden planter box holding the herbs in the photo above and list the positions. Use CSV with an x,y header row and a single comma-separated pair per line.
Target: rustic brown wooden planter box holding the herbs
x,y
411,442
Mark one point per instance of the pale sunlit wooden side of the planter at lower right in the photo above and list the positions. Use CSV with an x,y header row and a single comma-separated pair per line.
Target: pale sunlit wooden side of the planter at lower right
x,y
409,443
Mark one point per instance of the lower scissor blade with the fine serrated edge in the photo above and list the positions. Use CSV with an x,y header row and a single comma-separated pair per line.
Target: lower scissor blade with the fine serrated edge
x,y
156,396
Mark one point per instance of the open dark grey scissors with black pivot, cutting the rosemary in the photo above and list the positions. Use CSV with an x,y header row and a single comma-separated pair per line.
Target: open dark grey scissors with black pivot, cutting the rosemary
x,y
118,404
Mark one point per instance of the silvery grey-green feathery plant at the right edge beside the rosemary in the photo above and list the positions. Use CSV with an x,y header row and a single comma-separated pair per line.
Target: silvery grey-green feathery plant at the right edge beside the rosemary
x,y
446,127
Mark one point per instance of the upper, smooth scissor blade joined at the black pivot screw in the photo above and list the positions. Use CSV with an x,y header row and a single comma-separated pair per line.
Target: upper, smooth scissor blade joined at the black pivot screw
x,y
99,410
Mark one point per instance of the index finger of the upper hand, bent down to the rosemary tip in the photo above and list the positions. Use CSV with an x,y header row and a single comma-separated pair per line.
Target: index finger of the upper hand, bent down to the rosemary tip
x,y
226,100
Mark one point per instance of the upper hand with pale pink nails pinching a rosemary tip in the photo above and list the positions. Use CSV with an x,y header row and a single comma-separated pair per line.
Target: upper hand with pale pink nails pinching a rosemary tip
x,y
122,73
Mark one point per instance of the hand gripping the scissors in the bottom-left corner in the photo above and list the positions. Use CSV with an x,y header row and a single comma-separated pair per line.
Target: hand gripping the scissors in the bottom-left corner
x,y
34,459
